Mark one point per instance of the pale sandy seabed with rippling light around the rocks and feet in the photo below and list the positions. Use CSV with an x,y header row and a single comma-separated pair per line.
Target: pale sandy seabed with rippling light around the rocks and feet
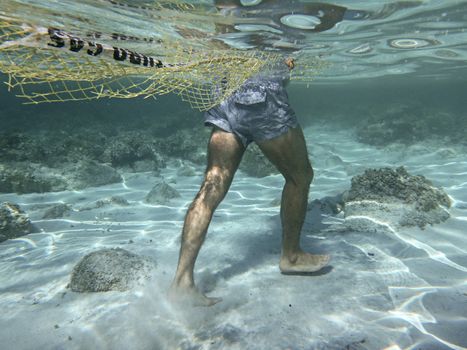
x,y
406,289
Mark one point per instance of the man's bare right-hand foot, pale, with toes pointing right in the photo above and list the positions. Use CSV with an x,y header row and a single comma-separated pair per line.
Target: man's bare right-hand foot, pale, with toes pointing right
x,y
303,263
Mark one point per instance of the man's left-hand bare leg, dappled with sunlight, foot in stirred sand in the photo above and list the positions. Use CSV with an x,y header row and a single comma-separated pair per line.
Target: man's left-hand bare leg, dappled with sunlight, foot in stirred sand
x,y
225,152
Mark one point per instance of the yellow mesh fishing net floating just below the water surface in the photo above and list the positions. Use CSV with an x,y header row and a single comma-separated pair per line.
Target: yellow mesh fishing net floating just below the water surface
x,y
51,65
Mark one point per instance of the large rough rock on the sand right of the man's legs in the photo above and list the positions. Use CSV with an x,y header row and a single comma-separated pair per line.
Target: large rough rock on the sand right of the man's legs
x,y
392,197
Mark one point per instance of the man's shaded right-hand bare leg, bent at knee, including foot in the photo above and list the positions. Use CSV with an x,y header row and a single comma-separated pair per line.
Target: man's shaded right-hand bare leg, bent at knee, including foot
x,y
289,154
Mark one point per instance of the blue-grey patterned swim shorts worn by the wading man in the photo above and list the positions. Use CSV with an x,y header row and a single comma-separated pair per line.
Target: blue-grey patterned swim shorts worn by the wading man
x,y
259,110
